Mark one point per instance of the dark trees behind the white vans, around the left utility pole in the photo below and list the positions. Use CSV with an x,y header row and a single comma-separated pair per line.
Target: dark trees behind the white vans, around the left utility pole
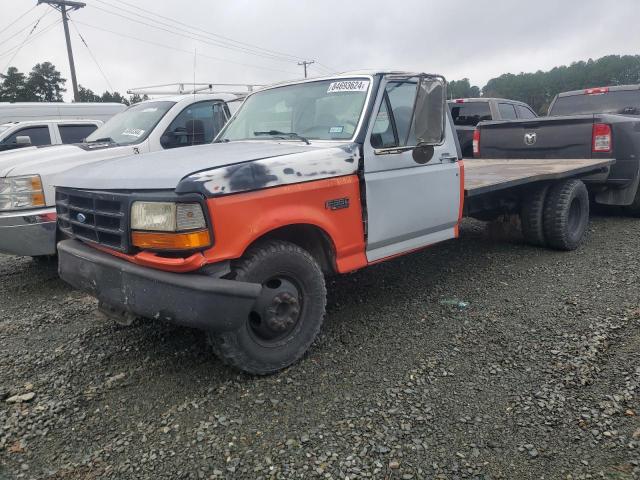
x,y
44,83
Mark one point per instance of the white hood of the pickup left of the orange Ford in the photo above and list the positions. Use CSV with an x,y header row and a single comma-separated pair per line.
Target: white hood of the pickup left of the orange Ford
x,y
51,160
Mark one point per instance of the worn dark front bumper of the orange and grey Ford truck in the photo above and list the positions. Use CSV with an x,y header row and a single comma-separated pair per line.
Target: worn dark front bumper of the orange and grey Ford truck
x,y
193,300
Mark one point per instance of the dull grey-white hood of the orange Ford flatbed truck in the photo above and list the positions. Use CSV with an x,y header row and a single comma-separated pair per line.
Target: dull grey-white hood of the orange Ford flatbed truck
x,y
165,169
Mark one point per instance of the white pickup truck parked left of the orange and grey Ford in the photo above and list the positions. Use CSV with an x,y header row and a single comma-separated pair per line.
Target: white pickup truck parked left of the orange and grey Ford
x,y
27,198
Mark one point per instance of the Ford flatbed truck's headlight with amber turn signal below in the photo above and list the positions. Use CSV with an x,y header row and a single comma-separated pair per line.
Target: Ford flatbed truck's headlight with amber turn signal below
x,y
169,226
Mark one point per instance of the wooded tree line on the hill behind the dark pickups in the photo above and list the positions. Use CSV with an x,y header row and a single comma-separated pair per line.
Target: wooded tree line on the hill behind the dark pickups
x,y
538,89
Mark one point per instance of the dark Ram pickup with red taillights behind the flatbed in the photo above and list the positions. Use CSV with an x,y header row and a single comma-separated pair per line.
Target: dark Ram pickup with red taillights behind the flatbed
x,y
593,123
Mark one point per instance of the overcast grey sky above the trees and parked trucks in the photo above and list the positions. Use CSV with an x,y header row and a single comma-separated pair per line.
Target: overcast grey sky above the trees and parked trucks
x,y
478,39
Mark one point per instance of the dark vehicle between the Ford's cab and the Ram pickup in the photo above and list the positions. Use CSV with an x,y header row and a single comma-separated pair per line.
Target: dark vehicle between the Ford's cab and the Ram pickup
x,y
467,112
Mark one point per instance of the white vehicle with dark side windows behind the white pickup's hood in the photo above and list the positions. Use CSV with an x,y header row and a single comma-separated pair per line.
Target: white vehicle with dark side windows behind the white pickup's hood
x,y
37,133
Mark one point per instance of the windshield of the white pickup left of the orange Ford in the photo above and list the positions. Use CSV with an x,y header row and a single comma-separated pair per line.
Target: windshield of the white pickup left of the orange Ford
x,y
133,125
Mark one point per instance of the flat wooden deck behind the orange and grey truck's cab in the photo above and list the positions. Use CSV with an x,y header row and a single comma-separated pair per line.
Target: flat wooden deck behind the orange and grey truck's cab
x,y
490,175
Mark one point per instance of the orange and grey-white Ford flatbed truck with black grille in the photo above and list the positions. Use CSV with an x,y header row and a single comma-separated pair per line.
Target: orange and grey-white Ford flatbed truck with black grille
x,y
309,178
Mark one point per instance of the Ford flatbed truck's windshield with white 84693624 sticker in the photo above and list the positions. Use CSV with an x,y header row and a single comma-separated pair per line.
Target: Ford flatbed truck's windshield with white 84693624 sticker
x,y
322,110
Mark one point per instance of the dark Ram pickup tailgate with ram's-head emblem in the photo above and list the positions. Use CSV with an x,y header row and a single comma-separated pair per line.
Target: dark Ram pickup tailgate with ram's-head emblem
x,y
550,137
